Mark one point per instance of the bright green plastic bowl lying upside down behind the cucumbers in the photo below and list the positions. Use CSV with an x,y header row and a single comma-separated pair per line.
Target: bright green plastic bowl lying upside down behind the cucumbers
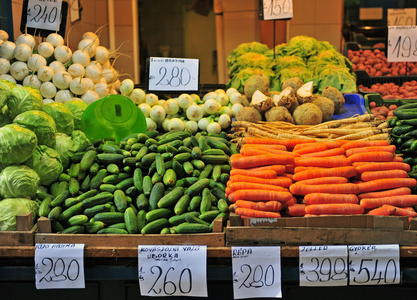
x,y
113,116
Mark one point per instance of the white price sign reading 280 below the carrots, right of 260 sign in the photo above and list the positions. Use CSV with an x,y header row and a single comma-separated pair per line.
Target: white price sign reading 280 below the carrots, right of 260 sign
x,y
256,272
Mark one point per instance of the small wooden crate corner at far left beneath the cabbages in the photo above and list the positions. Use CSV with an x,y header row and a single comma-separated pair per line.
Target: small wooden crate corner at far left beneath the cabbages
x,y
24,234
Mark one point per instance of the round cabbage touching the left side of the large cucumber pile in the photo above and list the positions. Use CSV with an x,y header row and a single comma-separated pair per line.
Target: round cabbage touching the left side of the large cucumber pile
x,y
46,163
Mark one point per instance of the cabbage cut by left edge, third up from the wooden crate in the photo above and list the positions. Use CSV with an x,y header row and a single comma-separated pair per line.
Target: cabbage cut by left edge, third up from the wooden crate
x,y
17,144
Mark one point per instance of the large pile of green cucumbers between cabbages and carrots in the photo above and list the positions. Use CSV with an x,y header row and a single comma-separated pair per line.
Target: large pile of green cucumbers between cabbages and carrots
x,y
149,183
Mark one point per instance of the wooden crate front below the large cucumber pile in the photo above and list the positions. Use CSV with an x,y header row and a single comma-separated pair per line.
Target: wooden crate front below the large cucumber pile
x,y
213,239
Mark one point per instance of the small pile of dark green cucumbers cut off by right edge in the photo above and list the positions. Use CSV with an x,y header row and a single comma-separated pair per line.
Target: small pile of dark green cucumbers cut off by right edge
x,y
404,134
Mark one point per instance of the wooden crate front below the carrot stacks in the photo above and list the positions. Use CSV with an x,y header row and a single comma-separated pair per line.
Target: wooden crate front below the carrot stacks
x,y
325,230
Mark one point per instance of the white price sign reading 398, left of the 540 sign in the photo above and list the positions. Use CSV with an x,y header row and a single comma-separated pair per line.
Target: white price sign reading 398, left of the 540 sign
x,y
323,265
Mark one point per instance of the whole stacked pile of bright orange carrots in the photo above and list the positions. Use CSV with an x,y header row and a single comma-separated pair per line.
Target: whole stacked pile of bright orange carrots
x,y
271,178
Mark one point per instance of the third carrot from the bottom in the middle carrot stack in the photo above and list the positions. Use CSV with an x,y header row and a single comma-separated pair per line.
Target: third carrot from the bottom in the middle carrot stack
x,y
343,188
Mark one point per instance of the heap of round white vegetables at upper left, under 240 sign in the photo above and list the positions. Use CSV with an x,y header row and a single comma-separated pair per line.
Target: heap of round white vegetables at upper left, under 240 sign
x,y
59,72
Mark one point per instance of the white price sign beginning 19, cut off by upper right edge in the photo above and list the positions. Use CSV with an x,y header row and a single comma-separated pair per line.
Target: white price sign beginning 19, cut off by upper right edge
x,y
402,43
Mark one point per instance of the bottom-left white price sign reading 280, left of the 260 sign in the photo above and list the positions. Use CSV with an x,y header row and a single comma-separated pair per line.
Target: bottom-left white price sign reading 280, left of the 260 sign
x,y
59,266
